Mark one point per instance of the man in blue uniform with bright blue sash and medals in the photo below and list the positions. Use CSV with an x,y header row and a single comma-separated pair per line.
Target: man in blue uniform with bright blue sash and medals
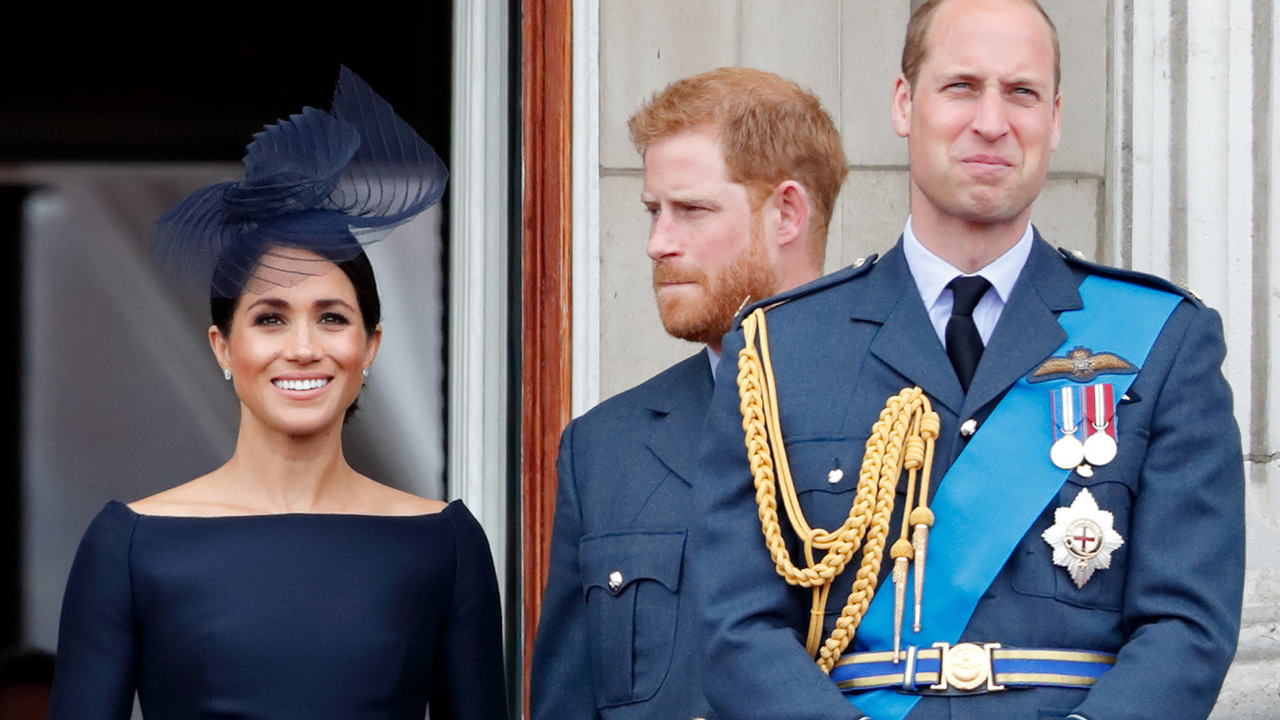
x,y
1085,517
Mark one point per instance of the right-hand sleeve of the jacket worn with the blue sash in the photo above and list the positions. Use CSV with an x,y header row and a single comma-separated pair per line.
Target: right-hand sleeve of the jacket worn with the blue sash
x,y
1187,540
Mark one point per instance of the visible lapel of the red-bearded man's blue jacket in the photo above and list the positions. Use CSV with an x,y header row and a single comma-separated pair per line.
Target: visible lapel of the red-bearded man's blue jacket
x,y
679,411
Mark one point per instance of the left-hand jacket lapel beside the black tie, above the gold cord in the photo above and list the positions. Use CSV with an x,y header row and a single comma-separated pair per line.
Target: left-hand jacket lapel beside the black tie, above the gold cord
x,y
907,341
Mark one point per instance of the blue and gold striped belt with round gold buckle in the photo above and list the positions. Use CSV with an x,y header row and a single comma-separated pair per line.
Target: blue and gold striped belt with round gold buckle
x,y
970,669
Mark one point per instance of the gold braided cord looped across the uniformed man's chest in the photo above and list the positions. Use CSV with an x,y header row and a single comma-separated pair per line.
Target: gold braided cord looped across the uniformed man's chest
x,y
902,436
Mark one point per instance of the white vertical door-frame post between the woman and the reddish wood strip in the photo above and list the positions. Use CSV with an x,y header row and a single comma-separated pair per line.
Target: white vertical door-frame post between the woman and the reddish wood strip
x,y
478,271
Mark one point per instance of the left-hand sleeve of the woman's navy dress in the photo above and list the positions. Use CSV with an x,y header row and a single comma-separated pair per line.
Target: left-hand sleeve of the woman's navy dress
x,y
98,654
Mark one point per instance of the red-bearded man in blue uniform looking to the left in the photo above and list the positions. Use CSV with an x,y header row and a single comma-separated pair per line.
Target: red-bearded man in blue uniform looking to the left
x,y
742,171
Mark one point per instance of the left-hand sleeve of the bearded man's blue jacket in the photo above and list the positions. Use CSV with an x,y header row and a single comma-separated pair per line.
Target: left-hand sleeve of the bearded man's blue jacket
x,y
561,662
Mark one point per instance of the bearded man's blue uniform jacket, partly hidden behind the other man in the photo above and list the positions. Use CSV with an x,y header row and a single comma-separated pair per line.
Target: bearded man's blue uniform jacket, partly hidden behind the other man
x,y
620,636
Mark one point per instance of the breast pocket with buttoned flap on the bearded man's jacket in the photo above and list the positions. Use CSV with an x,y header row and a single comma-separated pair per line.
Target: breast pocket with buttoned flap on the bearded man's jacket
x,y
632,585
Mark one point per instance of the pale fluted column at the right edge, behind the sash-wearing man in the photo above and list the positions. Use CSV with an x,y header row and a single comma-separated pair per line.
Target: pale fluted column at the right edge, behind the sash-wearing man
x,y
1186,72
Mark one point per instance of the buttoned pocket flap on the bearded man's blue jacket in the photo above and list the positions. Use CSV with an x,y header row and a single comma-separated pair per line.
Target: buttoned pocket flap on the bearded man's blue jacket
x,y
618,560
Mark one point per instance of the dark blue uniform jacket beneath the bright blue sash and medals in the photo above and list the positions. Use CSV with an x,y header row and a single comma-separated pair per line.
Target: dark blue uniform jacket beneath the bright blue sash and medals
x,y
1171,601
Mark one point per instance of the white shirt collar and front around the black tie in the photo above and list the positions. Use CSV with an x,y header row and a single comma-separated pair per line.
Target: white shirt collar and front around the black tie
x,y
934,274
